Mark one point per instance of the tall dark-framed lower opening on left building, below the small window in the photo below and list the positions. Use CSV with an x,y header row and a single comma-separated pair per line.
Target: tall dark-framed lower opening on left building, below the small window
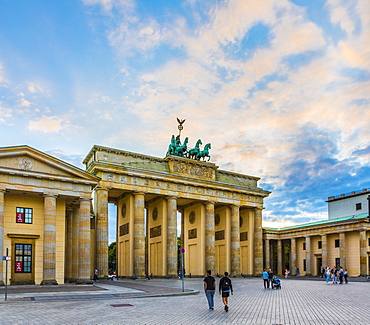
x,y
22,265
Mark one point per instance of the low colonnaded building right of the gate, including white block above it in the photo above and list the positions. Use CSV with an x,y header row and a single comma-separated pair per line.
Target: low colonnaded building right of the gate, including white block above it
x,y
342,240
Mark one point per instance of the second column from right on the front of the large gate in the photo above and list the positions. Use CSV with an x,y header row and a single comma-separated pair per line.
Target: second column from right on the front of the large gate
x,y
235,240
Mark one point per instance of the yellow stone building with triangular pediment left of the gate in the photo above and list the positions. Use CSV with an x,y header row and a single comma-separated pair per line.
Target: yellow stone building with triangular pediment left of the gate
x,y
45,207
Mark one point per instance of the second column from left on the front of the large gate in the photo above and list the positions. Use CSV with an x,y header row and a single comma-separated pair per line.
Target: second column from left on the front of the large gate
x,y
139,235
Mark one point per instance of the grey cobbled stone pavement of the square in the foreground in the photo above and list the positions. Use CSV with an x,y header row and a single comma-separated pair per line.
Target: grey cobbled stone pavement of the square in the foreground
x,y
298,302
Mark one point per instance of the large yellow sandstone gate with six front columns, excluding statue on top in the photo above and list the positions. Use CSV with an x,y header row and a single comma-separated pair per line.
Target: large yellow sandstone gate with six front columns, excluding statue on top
x,y
221,215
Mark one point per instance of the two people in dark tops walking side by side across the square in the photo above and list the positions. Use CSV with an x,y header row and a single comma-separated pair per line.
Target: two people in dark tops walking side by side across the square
x,y
224,288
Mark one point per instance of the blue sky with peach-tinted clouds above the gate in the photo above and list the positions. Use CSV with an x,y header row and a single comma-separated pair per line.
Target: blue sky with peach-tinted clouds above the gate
x,y
280,88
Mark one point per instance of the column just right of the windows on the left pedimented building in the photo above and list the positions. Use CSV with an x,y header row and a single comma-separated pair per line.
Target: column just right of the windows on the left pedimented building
x,y
49,255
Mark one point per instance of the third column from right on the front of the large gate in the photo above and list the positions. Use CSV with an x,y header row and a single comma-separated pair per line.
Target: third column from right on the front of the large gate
x,y
210,238
